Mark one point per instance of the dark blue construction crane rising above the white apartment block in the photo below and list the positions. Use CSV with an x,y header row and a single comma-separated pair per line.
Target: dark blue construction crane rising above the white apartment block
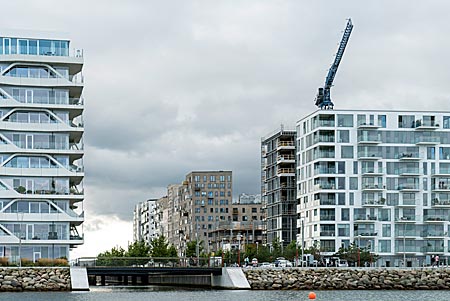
x,y
323,98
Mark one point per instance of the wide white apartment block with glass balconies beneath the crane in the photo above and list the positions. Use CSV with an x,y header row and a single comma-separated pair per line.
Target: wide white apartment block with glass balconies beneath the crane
x,y
379,179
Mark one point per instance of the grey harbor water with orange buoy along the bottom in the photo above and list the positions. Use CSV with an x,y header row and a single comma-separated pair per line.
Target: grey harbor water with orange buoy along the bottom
x,y
117,293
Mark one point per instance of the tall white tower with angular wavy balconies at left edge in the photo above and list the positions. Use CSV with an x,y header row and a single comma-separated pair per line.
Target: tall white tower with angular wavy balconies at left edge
x,y
41,146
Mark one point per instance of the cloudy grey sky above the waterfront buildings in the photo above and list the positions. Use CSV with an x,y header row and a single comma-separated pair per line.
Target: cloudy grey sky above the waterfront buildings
x,y
175,86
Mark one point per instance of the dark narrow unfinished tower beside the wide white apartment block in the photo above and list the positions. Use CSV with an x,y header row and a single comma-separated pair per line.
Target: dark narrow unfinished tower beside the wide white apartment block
x,y
278,185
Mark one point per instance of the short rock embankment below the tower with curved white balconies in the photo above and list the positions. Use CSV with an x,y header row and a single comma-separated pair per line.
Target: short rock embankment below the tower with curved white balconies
x,y
34,279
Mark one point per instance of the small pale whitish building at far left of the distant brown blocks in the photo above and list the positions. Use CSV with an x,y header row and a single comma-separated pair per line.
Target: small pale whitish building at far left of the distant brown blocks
x,y
145,221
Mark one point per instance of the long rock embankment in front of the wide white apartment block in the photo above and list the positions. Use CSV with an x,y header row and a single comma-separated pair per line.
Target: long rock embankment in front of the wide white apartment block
x,y
348,279
